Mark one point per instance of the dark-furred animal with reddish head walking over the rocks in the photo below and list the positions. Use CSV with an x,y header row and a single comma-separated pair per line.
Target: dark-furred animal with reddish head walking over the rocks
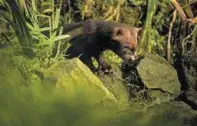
x,y
98,36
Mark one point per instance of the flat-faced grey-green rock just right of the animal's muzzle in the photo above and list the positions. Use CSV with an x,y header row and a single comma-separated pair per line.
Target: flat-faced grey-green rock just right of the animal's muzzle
x,y
156,73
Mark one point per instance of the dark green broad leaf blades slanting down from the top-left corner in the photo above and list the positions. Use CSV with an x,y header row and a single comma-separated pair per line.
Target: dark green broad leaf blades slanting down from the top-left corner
x,y
13,16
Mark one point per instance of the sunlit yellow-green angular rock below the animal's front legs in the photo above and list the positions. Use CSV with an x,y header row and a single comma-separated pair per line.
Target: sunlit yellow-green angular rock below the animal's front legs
x,y
76,78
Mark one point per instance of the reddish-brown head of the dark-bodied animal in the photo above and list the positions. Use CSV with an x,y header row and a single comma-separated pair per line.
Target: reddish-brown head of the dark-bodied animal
x,y
128,39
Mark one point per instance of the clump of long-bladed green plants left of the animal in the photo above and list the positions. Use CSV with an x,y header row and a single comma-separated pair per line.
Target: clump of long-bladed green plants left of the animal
x,y
36,31
